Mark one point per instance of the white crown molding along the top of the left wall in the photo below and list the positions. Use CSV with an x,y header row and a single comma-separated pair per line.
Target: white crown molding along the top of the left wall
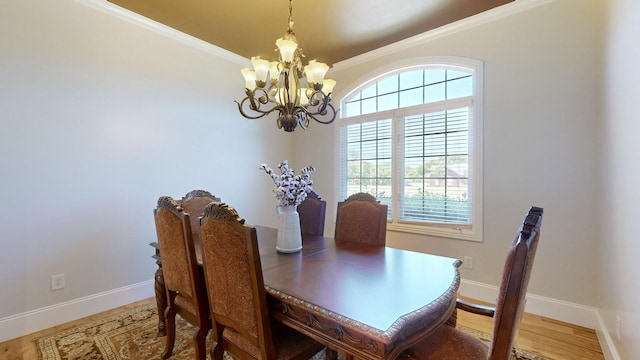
x,y
154,26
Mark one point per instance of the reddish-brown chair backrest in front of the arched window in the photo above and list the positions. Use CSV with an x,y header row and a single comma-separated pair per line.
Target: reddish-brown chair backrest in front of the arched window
x,y
361,218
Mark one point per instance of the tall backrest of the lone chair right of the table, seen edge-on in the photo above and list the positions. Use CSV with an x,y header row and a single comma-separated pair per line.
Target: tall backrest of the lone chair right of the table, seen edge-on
x,y
513,287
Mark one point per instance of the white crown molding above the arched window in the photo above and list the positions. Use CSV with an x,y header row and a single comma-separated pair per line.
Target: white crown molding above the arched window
x,y
499,12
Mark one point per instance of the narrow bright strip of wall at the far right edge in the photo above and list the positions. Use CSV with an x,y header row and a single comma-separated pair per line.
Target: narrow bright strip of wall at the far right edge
x,y
619,247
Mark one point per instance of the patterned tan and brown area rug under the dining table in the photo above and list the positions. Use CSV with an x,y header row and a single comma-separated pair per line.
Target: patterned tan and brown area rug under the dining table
x,y
132,335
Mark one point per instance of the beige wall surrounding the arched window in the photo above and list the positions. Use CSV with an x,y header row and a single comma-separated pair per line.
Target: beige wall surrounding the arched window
x,y
541,115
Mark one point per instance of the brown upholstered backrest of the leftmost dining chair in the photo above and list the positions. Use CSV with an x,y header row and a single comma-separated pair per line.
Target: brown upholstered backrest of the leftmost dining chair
x,y
179,264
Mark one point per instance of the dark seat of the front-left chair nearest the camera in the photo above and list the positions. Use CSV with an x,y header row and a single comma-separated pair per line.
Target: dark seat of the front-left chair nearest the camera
x,y
289,343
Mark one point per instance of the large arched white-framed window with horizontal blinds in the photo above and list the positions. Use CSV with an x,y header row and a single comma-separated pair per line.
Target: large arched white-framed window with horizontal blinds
x,y
413,139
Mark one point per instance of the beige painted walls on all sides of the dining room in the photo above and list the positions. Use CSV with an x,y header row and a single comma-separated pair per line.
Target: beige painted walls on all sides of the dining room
x,y
101,116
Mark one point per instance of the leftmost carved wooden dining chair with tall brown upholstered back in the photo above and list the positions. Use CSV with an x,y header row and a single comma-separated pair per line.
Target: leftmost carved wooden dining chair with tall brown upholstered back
x,y
183,281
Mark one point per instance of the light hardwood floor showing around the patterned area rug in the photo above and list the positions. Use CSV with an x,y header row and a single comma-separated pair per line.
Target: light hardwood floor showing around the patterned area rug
x,y
551,338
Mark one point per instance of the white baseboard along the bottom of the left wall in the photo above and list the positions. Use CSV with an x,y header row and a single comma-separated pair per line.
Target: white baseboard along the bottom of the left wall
x,y
39,319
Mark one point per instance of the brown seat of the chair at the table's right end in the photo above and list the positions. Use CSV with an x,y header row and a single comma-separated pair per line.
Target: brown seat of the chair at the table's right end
x,y
449,343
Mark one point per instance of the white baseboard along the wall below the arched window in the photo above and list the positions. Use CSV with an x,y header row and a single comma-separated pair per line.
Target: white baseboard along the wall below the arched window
x,y
572,313
